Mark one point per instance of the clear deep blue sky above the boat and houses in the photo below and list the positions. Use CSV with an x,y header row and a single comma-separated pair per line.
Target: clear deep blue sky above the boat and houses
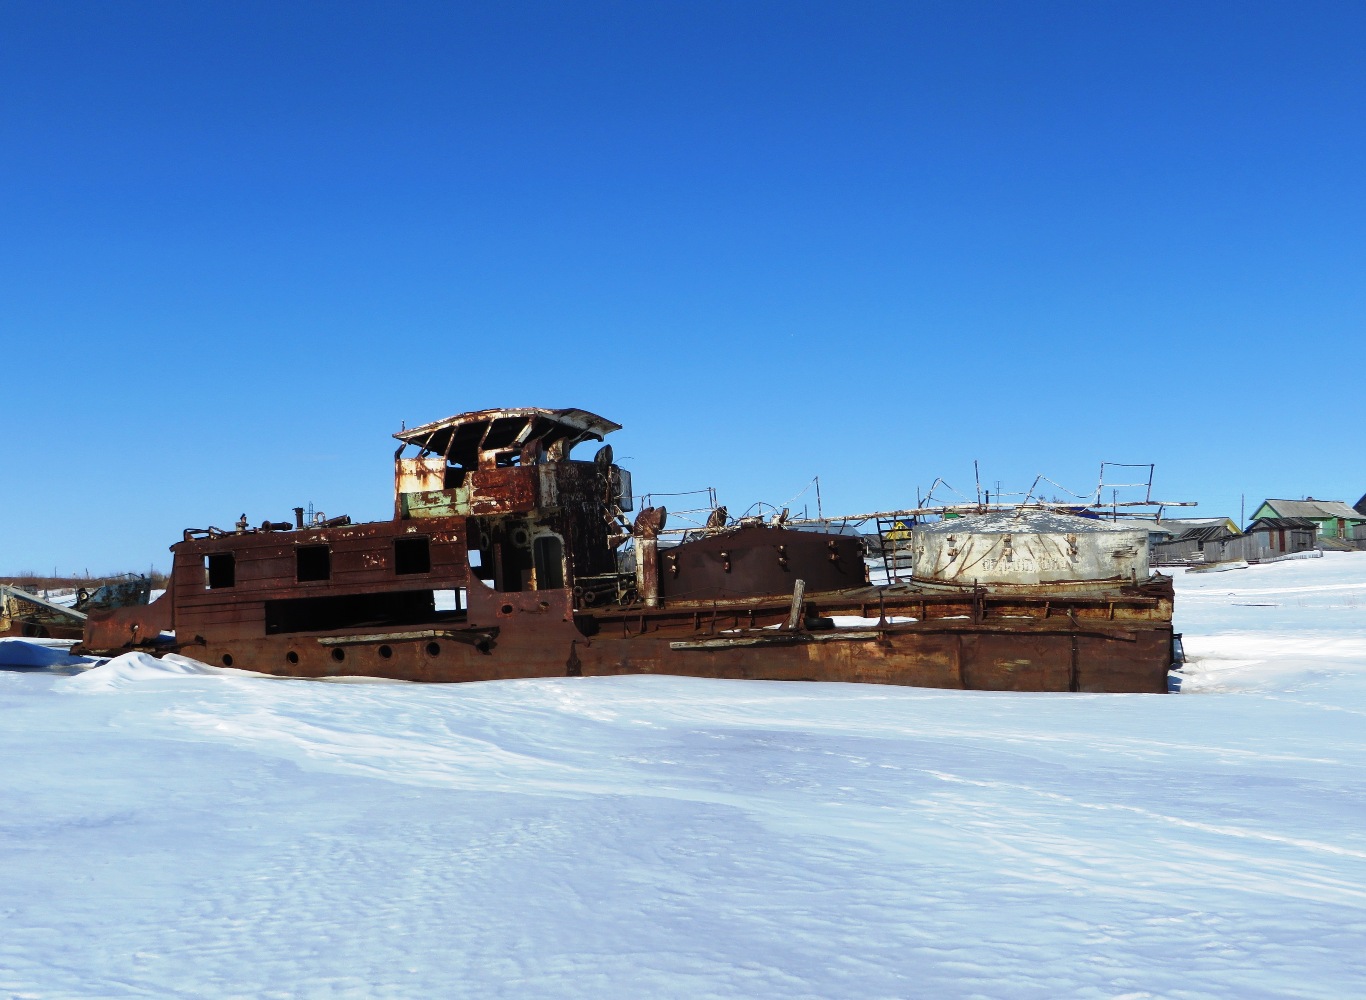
x,y
241,244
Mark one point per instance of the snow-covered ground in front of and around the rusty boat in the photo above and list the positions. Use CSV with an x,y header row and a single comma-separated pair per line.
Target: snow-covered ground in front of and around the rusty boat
x,y
170,830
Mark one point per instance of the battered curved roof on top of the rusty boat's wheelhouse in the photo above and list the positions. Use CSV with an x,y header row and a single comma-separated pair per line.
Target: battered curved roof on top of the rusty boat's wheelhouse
x,y
462,438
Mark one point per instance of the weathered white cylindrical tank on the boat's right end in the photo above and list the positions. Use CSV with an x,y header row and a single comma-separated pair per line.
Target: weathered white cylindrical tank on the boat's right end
x,y
1022,548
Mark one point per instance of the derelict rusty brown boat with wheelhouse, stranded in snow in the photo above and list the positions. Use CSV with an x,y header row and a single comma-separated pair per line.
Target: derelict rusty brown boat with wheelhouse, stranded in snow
x,y
503,559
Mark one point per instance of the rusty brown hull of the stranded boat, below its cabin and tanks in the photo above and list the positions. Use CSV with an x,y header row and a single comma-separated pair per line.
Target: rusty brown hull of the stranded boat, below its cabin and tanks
x,y
1118,641
